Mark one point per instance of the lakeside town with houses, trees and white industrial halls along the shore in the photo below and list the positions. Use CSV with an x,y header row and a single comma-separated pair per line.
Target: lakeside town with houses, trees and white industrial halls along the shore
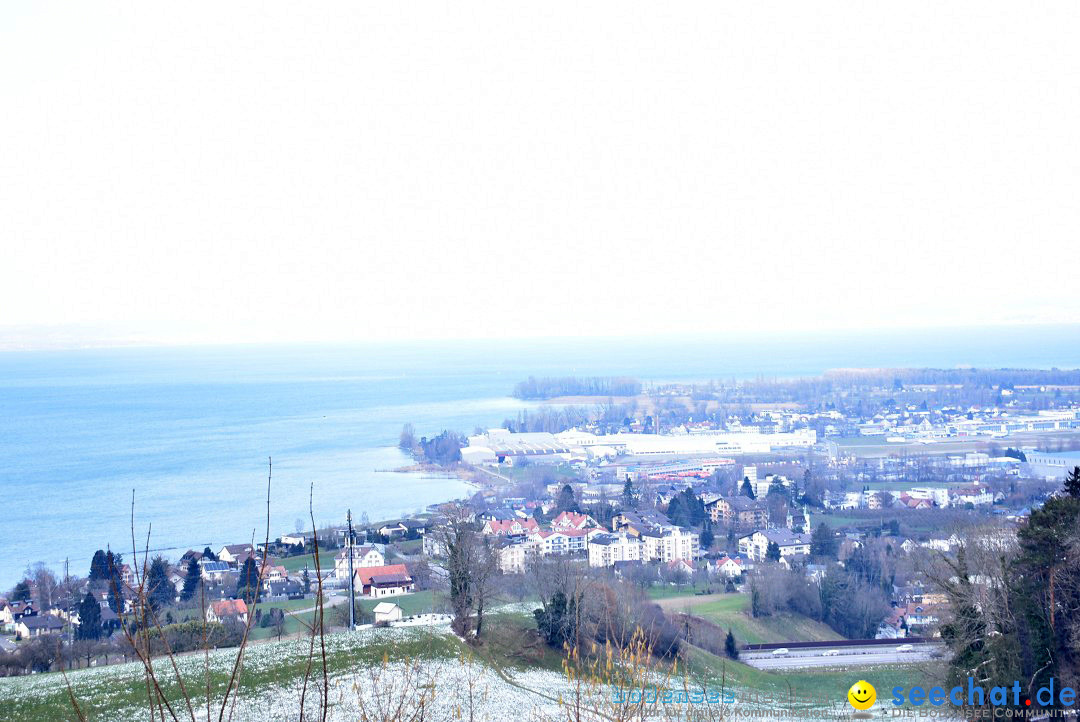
x,y
802,513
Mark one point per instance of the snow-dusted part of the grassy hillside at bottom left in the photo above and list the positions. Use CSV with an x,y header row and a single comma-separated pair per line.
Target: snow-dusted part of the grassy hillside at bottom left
x,y
444,685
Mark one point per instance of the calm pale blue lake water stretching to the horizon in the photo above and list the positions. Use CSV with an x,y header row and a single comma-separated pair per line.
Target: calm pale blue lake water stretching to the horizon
x,y
191,430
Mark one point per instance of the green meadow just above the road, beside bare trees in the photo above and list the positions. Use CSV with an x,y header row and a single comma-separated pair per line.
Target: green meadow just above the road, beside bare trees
x,y
732,612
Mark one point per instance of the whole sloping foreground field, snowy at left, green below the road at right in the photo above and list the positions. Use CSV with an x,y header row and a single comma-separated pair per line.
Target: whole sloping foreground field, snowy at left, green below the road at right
x,y
372,672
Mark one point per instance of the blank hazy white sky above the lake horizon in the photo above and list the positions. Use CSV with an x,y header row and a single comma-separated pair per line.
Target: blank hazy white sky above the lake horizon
x,y
258,171
